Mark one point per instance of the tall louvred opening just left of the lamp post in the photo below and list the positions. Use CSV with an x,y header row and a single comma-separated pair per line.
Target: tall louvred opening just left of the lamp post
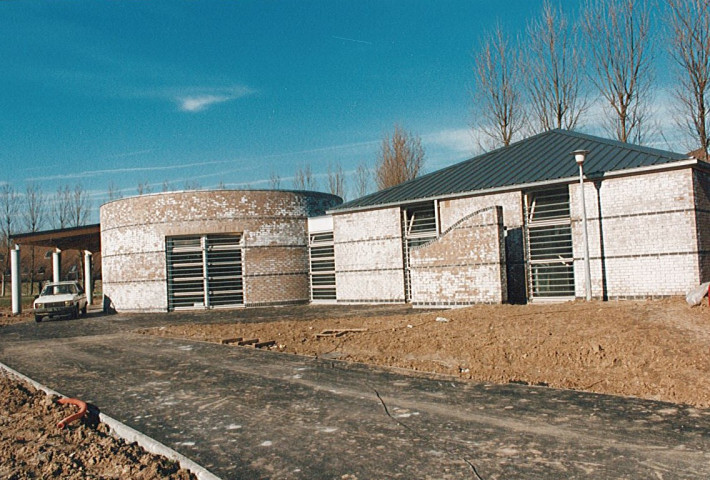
x,y
549,245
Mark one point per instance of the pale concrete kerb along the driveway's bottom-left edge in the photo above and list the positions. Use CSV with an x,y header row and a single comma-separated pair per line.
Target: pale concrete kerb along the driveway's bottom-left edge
x,y
129,434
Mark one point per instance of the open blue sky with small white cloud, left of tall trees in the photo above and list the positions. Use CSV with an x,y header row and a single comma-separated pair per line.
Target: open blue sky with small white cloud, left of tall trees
x,y
206,92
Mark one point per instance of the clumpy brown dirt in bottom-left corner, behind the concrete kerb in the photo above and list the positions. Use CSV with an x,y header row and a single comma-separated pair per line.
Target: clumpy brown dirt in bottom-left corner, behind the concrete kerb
x,y
32,446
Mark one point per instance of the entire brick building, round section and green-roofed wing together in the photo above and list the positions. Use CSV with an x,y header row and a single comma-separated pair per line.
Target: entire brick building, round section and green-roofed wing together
x,y
505,226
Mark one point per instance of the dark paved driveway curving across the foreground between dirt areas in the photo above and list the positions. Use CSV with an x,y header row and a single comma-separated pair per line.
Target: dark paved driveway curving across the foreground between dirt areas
x,y
246,413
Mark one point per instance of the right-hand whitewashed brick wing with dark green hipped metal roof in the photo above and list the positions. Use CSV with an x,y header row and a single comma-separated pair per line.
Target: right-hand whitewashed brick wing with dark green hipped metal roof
x,y
507,227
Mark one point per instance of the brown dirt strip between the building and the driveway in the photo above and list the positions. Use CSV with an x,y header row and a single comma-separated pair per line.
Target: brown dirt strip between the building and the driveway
x,y
655,349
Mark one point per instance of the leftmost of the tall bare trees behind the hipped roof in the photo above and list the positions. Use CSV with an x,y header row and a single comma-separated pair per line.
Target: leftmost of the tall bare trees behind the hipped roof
x,y
497,100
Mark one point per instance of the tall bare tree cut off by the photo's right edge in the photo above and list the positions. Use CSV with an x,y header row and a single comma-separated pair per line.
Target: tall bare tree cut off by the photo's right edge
x,y
690,48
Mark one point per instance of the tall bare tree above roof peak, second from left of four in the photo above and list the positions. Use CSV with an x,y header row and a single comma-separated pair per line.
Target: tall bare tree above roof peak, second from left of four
x,y
552,73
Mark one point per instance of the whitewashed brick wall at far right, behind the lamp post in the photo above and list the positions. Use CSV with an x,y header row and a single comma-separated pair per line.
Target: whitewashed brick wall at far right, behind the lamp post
x,y
645,243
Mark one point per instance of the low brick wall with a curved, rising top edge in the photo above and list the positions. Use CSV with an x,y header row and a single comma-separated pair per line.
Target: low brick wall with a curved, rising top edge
x,y
465,265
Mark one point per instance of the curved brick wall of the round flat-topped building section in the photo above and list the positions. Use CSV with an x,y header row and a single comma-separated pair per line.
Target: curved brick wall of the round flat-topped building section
x,y
275,239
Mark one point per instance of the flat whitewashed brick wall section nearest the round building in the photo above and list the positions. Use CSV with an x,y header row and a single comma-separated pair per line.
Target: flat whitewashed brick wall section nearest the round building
x,y
368,256
